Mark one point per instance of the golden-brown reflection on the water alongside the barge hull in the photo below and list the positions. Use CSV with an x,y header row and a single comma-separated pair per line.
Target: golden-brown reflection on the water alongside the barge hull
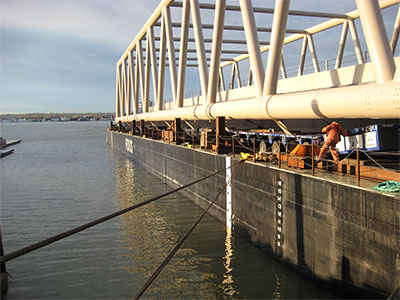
x,y
213,263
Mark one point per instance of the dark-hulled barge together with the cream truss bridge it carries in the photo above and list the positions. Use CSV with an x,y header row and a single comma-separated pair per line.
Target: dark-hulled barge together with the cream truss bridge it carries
x,y
322,218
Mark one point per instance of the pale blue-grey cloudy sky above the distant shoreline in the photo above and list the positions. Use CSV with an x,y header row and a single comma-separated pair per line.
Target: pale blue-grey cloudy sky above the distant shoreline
x,y
60,55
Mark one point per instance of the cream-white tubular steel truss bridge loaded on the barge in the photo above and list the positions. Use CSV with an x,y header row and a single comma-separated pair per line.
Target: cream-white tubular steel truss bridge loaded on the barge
x,y
203,43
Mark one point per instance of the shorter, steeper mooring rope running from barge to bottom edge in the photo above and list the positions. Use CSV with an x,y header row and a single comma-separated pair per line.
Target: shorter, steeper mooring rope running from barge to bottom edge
x,y
183,239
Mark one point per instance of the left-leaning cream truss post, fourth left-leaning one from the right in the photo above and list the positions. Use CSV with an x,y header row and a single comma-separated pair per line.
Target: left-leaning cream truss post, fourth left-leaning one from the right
x,y
171,51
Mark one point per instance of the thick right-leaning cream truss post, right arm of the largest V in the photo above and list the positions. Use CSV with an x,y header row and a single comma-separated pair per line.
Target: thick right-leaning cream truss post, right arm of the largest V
x,y
276,45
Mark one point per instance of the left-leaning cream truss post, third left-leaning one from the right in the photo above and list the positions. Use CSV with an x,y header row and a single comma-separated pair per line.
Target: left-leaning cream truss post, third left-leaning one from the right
x,y
201,53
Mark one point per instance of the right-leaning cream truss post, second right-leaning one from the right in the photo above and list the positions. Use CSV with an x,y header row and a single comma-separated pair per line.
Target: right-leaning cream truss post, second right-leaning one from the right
x,y
219,18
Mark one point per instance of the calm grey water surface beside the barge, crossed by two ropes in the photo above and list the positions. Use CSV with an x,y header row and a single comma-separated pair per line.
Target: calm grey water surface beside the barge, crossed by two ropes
x,y
64,174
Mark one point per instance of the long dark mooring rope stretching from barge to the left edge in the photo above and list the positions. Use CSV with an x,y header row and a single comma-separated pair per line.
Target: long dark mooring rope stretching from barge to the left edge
x,y
38,245
